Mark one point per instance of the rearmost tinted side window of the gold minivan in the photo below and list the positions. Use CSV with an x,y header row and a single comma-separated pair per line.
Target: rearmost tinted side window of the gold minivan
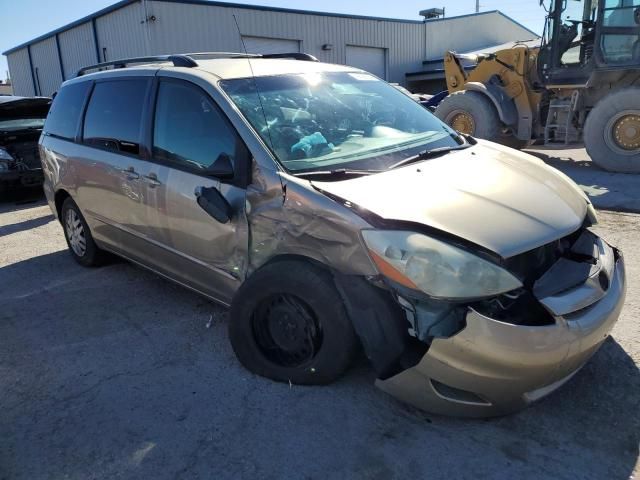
x,y
65,111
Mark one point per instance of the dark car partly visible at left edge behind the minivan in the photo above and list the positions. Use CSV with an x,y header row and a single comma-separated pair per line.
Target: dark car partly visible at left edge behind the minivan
x,y
21,121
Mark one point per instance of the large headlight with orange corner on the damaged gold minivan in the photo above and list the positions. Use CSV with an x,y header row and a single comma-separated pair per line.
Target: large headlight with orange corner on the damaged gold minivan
x,y
438,269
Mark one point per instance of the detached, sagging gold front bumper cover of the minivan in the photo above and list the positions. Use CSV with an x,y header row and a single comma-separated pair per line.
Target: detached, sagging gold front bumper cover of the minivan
x,y
507,366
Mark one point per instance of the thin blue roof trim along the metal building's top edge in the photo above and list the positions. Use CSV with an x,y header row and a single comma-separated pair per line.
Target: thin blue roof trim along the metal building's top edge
x,y
124,3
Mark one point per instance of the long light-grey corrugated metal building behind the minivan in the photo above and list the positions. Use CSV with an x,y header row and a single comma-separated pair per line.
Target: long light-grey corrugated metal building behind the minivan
x,y
389,48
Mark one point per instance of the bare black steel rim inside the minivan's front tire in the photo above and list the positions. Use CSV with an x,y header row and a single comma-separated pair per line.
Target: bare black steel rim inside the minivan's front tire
x,y
286,330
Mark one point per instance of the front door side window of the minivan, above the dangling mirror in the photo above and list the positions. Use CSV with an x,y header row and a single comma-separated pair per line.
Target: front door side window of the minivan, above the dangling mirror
x,y
189,129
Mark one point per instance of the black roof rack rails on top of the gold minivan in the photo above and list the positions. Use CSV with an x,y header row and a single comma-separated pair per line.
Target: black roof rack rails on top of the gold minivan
x,y
186,59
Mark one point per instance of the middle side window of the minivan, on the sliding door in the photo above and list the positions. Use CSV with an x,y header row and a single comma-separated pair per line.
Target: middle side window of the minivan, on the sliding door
x,y
114,116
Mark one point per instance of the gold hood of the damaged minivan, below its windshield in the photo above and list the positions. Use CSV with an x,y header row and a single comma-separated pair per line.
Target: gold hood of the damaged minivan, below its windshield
x,y
504,200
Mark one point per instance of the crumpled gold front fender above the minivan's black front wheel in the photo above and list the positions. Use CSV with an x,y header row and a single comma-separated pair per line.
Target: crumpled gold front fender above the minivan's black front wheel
x,y
287,216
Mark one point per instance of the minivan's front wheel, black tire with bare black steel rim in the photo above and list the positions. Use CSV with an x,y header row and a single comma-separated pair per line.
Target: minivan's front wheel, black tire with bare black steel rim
x,y
299,301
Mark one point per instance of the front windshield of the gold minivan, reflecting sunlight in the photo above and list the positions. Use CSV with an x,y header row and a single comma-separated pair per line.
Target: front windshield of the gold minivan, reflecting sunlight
x,y
337,120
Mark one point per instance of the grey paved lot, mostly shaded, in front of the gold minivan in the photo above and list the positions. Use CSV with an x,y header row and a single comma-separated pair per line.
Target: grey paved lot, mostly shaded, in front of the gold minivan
x,y
112,373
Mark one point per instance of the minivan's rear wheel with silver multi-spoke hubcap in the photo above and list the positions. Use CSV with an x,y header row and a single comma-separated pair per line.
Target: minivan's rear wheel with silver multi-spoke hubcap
x,y
78,236
